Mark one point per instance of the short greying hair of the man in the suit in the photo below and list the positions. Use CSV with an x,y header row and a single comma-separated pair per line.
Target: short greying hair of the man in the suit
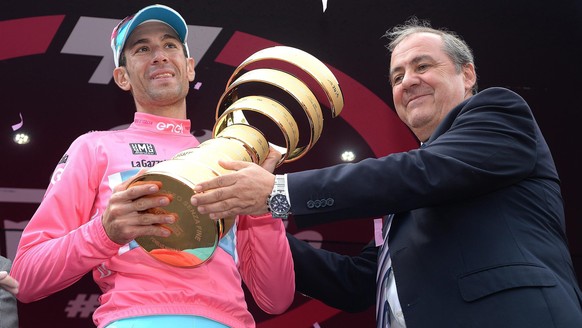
x,y
453,45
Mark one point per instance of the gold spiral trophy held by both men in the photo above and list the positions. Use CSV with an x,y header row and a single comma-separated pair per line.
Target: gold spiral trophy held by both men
x,y
261,97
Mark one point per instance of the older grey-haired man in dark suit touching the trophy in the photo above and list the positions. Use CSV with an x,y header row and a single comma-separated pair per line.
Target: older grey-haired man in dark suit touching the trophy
x,y
477,236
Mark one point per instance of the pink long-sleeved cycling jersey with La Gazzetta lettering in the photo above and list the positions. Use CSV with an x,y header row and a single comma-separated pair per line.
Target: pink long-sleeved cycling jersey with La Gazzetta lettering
x,y
65,239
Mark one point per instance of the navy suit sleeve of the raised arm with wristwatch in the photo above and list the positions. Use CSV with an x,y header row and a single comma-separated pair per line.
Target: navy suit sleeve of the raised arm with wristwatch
x,y
484,144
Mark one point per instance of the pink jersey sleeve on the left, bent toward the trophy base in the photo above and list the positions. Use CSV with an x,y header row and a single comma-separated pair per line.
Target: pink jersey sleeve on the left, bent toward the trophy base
x,y
65,238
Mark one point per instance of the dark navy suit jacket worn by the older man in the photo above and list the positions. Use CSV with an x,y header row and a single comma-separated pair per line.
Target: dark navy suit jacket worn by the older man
x,y
478,238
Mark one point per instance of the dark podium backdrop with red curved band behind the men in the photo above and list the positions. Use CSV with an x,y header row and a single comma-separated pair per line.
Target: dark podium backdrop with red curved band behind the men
x,y
56,64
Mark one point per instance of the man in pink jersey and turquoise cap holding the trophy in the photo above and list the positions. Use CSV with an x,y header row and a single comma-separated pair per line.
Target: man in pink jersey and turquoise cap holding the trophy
x,y
89,217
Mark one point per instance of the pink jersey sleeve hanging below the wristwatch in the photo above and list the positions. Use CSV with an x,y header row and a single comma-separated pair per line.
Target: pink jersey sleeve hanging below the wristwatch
x,y
266,264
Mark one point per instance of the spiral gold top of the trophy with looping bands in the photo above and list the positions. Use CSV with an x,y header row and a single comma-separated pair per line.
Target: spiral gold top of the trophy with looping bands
x,y
241,83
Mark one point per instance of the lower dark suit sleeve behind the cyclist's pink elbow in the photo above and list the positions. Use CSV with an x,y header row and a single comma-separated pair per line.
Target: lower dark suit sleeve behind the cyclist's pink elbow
x,y
344,282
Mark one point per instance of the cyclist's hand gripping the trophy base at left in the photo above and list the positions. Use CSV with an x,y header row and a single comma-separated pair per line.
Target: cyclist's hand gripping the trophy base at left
x,y
125,217
